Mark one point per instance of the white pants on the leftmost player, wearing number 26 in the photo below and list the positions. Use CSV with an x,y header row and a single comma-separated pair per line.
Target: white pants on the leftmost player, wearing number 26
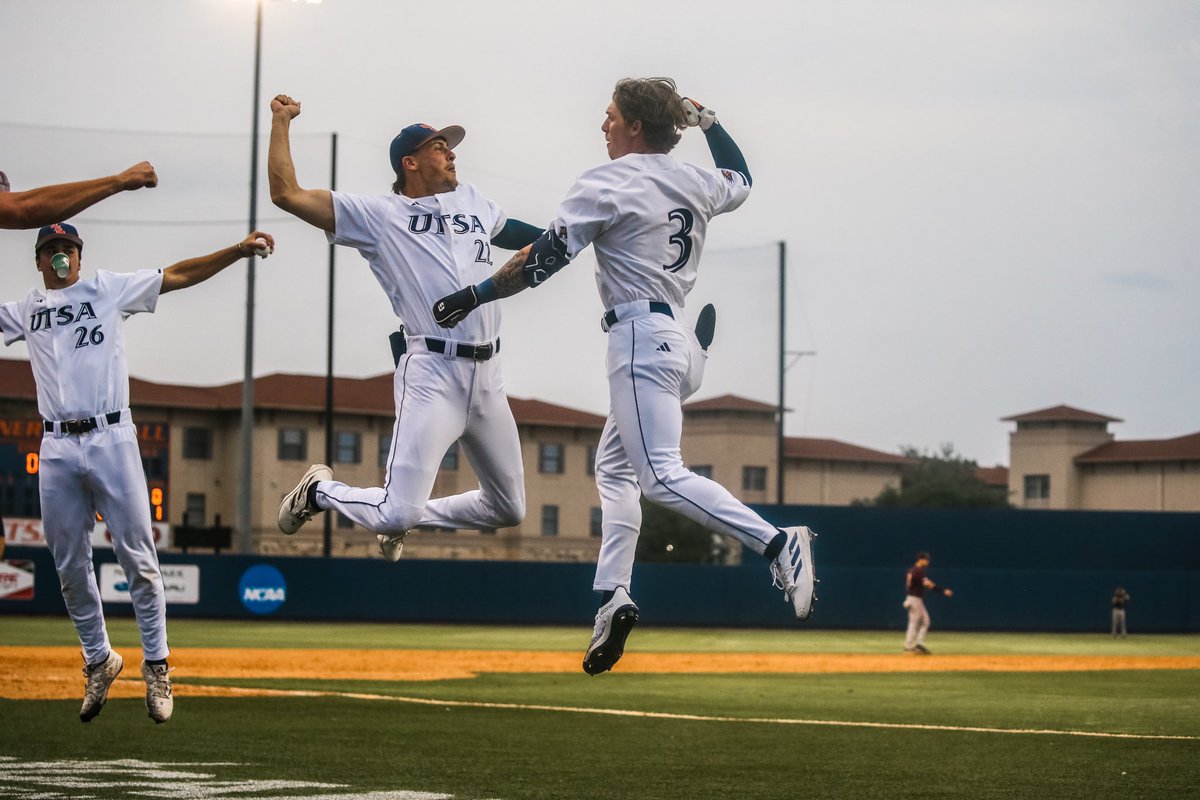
x,y
80,476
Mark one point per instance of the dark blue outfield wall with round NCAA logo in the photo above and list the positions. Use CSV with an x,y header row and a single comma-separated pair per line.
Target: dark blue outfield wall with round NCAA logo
x,y
1011,572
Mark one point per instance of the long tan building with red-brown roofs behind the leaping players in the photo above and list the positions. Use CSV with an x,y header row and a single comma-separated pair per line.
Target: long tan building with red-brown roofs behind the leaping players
x,y
193,448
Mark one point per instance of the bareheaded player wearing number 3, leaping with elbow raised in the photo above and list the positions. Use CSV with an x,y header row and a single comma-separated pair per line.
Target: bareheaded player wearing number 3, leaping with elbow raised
x,y
646,215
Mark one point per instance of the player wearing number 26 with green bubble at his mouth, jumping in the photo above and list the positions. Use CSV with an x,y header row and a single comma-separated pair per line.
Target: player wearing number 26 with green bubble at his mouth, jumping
x,y
89,456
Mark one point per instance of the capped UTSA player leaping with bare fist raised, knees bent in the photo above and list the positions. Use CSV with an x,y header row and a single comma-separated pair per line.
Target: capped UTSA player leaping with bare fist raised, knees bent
x,y
429,237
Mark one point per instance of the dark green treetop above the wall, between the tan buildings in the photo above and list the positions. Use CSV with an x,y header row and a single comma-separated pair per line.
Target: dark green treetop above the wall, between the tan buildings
x,y
941,480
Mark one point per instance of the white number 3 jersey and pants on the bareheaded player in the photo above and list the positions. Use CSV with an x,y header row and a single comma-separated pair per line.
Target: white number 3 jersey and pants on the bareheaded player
x,y
646,216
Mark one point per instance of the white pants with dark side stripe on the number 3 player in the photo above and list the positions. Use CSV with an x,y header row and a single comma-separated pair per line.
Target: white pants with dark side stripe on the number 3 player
x,y
655,364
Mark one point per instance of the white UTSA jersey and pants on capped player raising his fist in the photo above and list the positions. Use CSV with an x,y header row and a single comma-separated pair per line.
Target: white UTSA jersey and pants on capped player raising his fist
x,y
449,384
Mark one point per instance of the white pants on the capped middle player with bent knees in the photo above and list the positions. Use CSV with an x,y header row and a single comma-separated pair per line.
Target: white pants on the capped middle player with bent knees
x,y
440,400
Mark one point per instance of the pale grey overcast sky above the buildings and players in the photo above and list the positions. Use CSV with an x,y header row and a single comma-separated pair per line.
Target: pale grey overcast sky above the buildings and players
x,y
989,208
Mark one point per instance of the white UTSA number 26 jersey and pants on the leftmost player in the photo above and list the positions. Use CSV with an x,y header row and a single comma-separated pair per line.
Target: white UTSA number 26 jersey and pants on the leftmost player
x,y
77,350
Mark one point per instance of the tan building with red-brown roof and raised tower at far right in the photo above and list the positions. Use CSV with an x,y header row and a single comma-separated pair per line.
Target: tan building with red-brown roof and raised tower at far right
x,y
1065,458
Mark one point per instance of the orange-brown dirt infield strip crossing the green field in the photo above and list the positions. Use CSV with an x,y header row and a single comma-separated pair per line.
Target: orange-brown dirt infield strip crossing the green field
x,y
53,673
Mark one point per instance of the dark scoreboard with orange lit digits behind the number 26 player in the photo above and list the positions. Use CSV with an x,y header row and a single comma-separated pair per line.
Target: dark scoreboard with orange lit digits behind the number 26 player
x,y
20,466
